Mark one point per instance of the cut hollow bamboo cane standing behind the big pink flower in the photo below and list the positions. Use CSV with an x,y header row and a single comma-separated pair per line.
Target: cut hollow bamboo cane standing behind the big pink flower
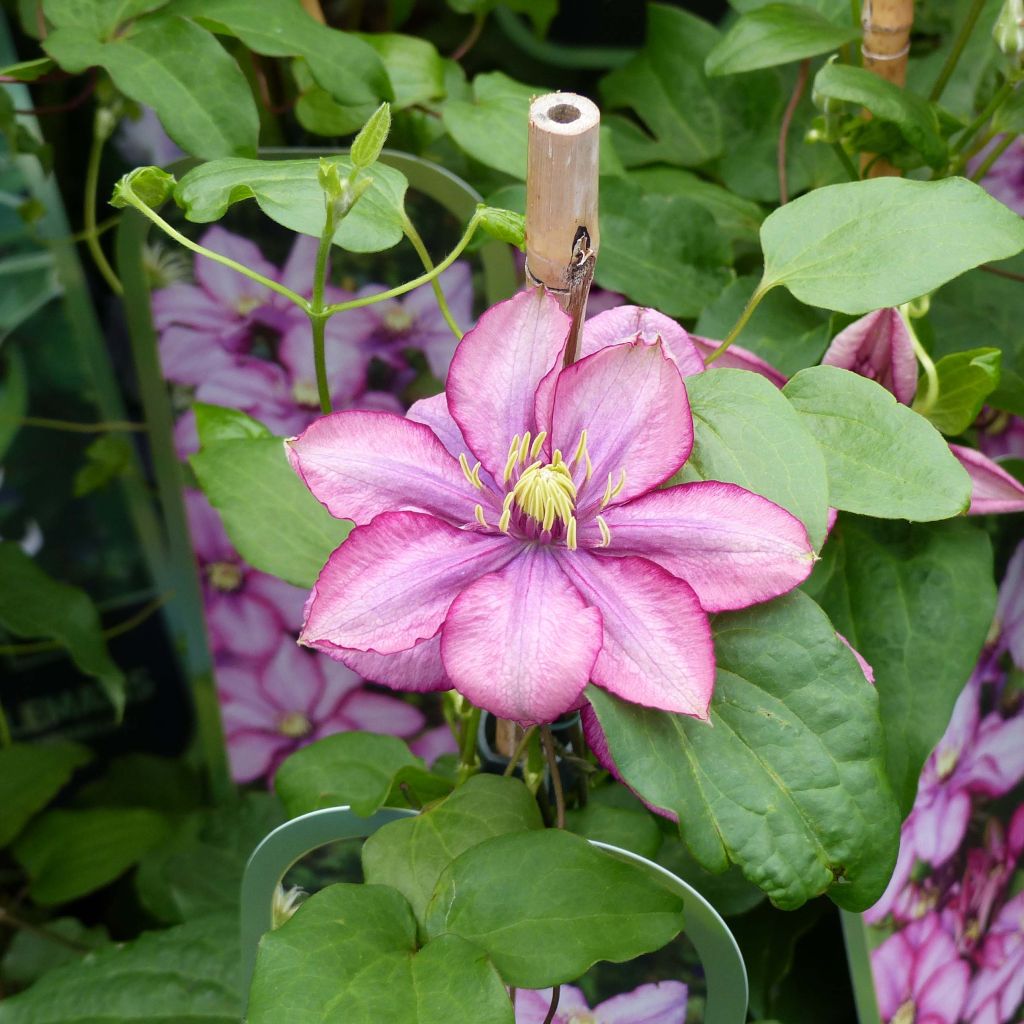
x,y
563,234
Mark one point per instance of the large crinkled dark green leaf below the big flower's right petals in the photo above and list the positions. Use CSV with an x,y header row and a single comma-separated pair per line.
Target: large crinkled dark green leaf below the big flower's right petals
x,y
789,781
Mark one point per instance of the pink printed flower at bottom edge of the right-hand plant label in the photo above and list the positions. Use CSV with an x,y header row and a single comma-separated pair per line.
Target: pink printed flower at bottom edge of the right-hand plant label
x,y
919,975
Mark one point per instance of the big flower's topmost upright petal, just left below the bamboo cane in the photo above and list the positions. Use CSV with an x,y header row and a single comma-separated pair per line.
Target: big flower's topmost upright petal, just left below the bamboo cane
x,y
497,369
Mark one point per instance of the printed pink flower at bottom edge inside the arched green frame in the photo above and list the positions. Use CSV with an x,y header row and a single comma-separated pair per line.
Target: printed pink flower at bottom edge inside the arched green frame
x,y
661,1003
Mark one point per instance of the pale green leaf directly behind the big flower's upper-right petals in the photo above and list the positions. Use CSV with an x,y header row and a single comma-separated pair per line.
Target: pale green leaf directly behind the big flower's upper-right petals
x,y
747,434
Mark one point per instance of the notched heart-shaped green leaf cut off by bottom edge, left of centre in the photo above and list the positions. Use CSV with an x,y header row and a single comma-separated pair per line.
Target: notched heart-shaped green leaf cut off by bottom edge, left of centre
x,y
350,955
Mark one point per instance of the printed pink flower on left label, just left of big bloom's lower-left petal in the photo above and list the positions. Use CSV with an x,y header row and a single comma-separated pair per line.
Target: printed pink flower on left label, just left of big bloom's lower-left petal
x,y
247,613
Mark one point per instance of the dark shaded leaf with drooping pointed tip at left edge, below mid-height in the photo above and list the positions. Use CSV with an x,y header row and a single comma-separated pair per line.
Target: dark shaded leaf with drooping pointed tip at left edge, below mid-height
x,y
35,607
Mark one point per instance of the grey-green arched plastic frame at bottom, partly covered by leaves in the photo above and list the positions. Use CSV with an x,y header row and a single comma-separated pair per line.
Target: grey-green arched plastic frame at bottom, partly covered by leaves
x,y
723,965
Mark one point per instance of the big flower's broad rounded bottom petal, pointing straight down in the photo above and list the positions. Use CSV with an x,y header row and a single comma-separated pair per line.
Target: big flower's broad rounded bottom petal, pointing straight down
x,y
522,643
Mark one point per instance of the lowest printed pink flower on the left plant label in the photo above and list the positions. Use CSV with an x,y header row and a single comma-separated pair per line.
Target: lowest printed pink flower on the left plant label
x,y
271,709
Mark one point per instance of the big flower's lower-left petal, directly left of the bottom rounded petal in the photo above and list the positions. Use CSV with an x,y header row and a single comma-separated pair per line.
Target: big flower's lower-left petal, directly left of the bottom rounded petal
x,y
392,583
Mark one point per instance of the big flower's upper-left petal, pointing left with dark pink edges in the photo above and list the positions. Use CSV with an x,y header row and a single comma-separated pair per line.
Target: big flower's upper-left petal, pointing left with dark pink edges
x,y
360,464
